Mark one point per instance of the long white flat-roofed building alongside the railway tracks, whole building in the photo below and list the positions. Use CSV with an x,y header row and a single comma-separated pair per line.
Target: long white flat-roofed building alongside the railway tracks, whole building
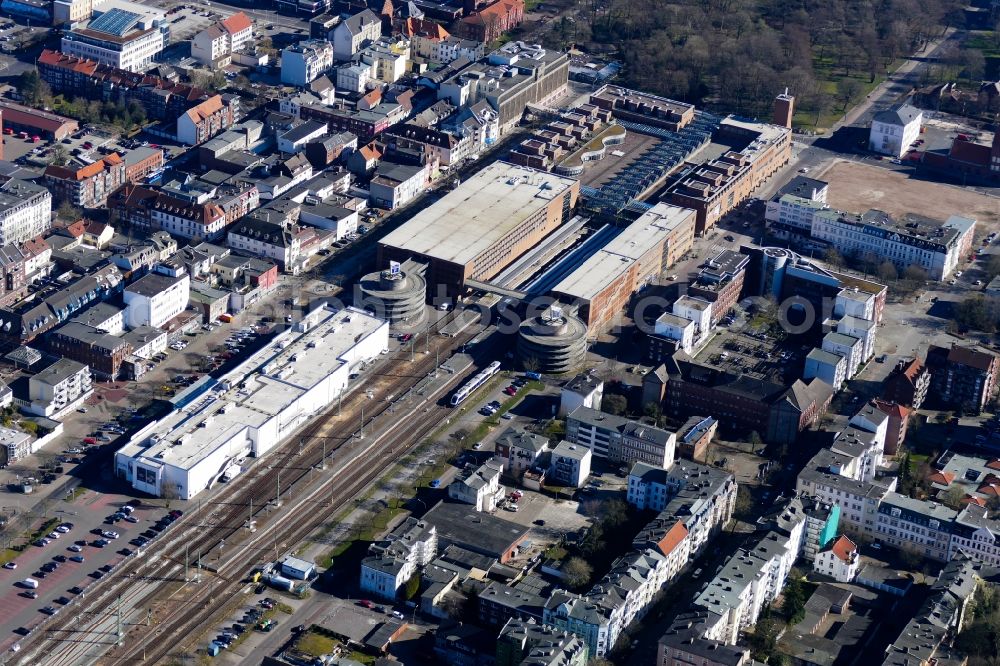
x,y
254,408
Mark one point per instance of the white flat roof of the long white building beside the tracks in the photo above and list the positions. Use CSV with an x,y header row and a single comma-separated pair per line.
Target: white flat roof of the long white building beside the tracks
x,y
257,390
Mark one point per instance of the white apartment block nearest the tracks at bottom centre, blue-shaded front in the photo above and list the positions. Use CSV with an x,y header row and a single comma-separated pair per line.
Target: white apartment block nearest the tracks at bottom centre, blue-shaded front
x,y
392,561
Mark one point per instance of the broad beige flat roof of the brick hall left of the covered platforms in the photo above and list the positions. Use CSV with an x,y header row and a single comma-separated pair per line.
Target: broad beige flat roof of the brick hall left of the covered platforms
x,y
478,213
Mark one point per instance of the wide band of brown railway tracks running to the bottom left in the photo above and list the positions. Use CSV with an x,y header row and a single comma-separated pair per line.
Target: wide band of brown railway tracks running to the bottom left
x,y
367,446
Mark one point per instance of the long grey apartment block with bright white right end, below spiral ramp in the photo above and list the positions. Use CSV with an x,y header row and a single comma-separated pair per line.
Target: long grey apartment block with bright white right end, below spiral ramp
x,y
619,439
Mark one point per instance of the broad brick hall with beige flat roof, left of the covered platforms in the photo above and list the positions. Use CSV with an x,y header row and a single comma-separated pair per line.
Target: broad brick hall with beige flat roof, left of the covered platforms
x,y
479,228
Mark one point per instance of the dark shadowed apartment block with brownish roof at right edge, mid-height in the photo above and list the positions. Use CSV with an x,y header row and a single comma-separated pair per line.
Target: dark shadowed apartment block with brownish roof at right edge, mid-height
x,y
962,376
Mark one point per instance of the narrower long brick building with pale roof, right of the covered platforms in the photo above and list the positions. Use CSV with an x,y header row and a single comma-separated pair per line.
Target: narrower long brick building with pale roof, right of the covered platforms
x,y
602,286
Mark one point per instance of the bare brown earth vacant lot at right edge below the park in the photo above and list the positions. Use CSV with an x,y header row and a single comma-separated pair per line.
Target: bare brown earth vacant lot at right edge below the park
x,y
857,187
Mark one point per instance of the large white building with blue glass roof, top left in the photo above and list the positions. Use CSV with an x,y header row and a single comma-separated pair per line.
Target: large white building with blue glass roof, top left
x,y
118,38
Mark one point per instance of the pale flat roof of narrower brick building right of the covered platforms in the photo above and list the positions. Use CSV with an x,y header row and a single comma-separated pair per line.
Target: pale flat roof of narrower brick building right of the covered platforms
x,y
617,257
